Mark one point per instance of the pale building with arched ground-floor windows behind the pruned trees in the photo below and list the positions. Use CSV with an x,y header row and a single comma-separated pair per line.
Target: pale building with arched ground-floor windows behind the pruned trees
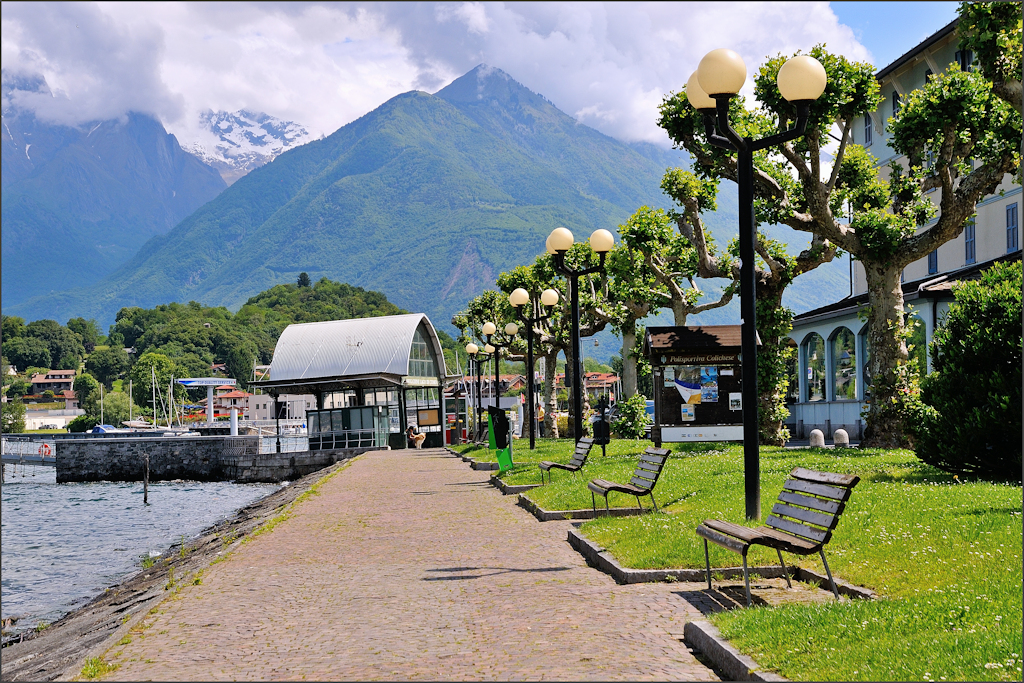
x,y
829,383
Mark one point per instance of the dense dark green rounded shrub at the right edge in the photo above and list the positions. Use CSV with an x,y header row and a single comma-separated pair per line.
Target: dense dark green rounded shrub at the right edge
x,y
975,387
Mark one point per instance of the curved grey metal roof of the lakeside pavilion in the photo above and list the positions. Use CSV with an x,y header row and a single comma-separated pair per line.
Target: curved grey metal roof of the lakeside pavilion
x,y
357,349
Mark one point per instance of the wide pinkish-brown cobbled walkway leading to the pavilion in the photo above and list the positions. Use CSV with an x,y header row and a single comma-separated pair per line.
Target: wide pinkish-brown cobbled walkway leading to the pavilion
x,y
409,566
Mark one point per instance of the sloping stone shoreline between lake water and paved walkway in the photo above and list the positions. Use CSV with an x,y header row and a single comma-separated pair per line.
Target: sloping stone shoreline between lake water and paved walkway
x,y
61,651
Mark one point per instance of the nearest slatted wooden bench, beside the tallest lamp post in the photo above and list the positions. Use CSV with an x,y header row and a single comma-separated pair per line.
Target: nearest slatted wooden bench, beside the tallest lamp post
x,y
801,523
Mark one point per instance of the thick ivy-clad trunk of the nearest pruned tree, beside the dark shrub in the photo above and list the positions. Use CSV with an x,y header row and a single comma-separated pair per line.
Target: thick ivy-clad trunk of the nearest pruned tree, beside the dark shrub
x,y
888,354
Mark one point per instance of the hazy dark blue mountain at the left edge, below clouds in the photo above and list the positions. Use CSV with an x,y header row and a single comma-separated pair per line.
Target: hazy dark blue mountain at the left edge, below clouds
x,y
79,202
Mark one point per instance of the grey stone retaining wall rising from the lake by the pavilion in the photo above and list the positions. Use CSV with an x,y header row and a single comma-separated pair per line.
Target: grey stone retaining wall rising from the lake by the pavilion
x,y
195,458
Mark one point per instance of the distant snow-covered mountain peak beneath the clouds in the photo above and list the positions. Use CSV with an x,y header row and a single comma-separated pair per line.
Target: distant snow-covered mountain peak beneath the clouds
x,y
237,143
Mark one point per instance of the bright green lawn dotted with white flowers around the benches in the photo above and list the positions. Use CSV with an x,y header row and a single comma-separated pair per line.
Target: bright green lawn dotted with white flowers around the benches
x,y
946,557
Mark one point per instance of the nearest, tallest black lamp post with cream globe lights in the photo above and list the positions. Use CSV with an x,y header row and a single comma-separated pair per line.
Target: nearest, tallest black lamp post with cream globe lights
x,y
719,77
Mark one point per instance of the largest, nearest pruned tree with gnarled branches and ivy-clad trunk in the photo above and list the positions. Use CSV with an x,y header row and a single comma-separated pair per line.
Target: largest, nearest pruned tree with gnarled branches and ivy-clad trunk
x,y
955,117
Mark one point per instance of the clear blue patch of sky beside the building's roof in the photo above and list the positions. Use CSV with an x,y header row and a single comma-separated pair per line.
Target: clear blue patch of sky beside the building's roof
x,y
890,29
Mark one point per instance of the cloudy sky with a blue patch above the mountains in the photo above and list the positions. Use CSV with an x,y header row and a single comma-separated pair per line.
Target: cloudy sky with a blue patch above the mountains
x,y
325,65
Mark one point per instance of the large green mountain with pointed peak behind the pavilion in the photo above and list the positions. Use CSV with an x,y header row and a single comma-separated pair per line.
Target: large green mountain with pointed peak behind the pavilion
x,y
426,199
